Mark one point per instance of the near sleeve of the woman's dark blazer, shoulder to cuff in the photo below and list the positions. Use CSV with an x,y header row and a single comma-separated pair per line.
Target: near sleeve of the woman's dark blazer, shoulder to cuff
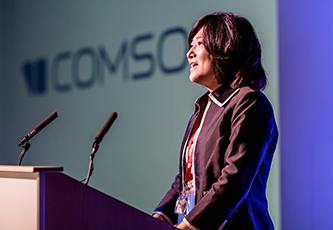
x,y
252,129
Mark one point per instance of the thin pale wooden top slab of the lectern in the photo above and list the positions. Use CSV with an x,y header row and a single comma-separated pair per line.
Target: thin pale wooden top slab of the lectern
x,y
30,169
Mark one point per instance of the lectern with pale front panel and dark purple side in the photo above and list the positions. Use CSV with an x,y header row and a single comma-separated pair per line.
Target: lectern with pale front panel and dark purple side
x,y
44,198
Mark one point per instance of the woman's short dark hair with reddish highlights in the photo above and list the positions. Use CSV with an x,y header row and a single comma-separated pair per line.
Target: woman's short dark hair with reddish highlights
x,y
234,48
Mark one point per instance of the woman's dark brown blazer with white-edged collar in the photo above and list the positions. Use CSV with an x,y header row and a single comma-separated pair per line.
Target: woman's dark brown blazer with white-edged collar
x,y
232,161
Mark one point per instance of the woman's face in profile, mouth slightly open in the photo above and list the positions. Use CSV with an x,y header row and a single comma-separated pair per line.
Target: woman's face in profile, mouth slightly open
x,y
201,71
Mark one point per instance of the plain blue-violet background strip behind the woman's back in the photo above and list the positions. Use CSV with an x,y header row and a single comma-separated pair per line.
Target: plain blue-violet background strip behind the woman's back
x,y
305,73
